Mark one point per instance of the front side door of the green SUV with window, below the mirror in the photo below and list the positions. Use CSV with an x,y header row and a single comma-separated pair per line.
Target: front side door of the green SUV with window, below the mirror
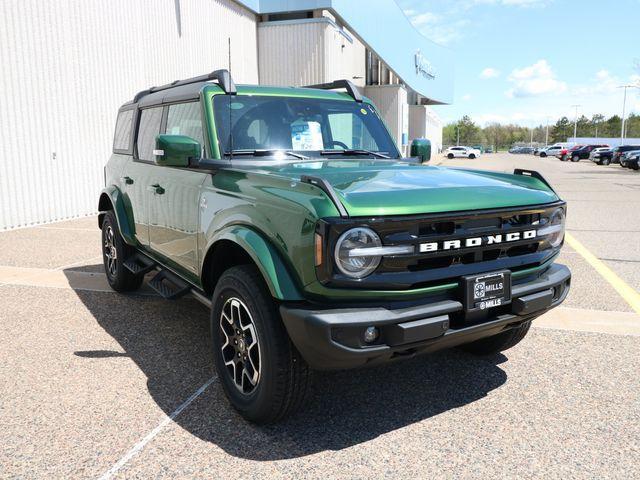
x,y
174,213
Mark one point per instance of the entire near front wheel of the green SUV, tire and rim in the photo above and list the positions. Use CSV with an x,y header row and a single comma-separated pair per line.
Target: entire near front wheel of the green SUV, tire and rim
x,y
274,380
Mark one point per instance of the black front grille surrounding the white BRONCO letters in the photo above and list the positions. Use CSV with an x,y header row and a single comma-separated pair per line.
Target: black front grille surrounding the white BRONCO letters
x,y
425,268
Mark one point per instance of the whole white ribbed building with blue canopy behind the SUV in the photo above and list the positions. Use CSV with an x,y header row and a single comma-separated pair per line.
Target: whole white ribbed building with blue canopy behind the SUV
x,y
68,66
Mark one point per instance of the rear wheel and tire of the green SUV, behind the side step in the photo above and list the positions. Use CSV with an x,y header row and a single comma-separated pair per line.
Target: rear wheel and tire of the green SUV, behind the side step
x,y
114,252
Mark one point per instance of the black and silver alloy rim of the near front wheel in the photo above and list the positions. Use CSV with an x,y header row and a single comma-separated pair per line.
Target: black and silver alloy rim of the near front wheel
x,y
241,349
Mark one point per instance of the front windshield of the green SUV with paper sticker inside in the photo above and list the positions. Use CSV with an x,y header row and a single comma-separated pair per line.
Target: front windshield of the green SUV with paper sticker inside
x,y
305,126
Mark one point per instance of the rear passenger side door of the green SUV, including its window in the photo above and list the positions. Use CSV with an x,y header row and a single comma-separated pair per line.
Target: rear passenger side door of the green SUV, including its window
x,y
137,176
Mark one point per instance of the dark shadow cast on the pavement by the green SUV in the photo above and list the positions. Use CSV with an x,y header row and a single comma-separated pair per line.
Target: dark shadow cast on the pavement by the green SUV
x,y
169,342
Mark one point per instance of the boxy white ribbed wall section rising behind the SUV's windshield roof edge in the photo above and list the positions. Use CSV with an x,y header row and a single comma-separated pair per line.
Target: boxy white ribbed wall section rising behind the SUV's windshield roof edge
x,y
306,52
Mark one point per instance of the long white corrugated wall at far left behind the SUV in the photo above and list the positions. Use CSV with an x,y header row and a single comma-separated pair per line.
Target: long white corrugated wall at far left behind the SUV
x,y
68,66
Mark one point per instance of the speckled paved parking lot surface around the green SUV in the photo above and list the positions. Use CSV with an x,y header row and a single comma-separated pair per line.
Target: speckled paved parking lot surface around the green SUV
x,y
97,384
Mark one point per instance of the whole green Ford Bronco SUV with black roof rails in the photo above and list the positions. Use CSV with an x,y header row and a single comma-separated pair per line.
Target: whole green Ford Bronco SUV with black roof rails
x,y
291,213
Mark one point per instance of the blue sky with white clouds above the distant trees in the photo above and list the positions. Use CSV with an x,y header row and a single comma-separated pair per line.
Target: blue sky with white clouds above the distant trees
x,y
522,61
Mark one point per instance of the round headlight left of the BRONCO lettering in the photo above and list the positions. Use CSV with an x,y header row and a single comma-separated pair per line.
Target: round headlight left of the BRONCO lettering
x,y
351,256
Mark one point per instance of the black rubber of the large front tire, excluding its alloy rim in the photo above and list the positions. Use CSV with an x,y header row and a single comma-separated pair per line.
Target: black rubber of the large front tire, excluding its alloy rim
x,y
284,377
